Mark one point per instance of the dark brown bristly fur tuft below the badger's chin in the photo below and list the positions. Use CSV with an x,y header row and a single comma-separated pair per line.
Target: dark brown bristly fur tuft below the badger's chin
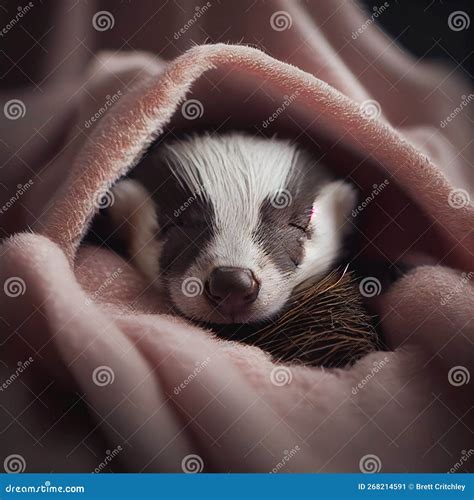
x,y
323,325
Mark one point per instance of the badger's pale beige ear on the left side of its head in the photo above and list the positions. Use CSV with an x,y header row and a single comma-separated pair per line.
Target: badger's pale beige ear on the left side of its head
x,y
134,215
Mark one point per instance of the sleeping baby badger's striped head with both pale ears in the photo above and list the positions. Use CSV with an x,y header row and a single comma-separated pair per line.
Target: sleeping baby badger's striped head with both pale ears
x,y
229,225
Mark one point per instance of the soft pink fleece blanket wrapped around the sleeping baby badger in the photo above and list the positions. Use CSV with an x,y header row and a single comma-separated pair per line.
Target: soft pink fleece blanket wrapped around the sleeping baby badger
x,y
95,375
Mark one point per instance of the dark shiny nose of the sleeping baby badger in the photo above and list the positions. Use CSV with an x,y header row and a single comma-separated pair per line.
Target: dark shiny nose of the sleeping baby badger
x,y
232,288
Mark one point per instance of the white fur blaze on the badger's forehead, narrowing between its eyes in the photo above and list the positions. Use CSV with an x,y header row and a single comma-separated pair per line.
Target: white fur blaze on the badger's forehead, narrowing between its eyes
x,y
235,172
